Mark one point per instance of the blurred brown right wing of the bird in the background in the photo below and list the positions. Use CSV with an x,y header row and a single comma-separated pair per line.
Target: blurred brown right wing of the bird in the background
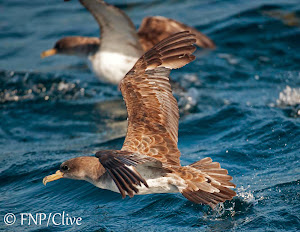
x,y
157,28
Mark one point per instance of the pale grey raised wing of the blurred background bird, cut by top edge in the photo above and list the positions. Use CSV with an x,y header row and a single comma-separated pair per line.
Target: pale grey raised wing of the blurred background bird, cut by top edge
x,y
118,33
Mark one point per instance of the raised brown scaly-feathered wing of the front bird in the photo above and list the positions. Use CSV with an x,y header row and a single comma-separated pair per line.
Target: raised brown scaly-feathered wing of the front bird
x,y
152,109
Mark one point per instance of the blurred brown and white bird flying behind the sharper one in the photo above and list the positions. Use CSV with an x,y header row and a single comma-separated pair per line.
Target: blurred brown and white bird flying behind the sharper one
x,y
120,46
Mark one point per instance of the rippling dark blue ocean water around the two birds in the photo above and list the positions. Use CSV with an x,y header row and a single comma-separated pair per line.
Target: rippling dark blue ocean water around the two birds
x,y
243,111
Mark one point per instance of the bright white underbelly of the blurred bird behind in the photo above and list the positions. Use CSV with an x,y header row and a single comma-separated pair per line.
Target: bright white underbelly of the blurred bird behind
x,y
111,67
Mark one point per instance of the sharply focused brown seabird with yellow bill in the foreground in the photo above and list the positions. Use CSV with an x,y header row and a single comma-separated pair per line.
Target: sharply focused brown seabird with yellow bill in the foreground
x,y
149,161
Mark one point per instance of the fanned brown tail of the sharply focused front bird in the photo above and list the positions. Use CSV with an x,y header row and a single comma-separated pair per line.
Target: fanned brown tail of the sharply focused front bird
x,y
210,184
